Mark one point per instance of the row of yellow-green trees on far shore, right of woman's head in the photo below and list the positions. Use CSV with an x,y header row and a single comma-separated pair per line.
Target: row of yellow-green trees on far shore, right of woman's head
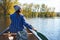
x,y
36,10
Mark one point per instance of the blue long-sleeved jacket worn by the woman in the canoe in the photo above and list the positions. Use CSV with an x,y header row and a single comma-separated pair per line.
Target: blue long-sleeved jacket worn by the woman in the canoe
x,y
18,23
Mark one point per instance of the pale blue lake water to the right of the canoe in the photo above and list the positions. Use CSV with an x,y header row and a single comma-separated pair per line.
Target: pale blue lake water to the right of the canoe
x,y
50,27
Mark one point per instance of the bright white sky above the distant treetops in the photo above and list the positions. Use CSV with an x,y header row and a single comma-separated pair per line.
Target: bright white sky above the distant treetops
x,y
49,3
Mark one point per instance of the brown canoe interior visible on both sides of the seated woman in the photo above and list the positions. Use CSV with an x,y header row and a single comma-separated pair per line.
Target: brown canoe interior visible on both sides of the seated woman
x,y
31,36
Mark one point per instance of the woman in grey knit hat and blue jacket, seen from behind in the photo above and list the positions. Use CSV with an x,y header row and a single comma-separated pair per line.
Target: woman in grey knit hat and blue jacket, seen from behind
x,y
17,24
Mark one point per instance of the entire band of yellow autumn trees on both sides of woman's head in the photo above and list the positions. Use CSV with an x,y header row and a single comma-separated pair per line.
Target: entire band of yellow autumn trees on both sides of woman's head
x,y
29,10
